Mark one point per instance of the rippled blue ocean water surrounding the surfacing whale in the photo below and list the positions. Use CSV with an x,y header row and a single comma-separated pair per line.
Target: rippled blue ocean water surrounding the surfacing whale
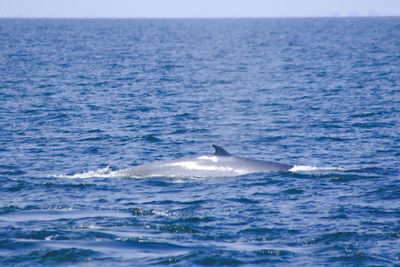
x,y
81,99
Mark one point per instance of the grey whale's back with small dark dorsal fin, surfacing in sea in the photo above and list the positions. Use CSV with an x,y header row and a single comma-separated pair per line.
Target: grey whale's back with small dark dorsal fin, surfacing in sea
x,y
219,164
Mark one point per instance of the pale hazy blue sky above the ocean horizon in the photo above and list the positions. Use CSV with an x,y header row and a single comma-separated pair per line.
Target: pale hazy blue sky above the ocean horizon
x,y
197,8
